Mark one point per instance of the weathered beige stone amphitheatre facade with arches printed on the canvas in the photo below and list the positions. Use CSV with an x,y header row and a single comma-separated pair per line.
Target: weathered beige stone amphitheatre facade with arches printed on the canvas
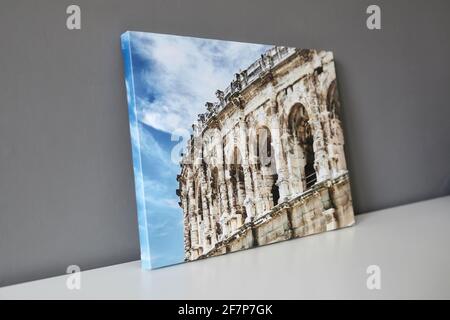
x,y
266,162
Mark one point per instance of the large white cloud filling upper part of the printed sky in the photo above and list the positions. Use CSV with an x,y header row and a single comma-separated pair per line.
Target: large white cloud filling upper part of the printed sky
x,y
185,73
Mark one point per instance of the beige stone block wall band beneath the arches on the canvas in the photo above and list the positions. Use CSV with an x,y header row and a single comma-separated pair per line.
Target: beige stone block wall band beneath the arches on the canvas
x,y
311,213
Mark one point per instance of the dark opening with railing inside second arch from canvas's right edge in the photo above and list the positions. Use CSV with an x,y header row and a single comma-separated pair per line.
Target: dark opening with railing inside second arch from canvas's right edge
x,y
300,133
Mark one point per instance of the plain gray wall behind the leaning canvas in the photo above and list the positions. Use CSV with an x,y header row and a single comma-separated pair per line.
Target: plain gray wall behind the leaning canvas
x,y
66,184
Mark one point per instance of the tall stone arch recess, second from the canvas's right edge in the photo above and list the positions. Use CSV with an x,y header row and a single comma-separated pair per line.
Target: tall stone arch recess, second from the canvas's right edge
x,y
300,135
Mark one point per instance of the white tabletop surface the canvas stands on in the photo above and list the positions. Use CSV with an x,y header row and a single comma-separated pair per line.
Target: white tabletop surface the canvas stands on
x,y
410,244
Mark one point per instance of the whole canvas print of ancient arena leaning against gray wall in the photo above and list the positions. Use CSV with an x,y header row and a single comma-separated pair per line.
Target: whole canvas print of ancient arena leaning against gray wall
x,y
235,145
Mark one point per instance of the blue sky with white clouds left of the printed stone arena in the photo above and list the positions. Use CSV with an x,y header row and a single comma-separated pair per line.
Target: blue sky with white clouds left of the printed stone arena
x,y
173,77
